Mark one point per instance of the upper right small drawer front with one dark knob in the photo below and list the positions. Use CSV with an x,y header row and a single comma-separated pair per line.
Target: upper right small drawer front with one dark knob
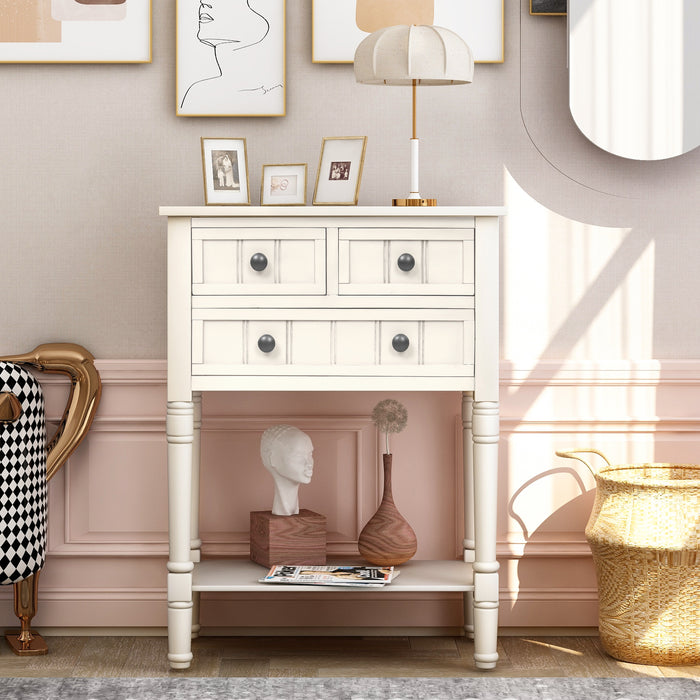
x,y
406,261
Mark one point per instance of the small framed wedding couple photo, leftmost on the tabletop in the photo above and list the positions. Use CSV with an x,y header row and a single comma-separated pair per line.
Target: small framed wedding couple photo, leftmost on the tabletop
x,y
225,166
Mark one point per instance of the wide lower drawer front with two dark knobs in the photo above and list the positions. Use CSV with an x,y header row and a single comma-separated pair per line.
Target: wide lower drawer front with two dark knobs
x,y
380,342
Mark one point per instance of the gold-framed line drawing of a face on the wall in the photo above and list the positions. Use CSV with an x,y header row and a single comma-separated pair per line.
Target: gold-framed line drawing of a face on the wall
x,y
230,58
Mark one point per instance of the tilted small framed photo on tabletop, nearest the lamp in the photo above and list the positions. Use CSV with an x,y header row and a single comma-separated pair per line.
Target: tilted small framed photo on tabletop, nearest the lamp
x,y
340,170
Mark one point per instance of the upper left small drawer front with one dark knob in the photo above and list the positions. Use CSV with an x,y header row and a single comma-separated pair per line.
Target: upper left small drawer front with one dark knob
x,y
258,261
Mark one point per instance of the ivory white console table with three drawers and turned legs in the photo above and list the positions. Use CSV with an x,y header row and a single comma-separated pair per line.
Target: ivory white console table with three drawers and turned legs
x,y
336,299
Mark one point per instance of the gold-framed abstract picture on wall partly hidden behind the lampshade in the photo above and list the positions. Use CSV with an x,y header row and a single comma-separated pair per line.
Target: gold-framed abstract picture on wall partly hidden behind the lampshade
x,y
336,34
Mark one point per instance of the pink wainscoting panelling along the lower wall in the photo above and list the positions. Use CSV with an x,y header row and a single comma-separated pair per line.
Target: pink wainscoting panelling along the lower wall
x,y
108,505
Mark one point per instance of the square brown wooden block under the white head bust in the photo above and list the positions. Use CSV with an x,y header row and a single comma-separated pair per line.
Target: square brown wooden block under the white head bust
x,y
287,539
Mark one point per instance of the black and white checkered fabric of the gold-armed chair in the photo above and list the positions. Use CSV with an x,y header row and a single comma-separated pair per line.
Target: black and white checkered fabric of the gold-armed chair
x,y
22,479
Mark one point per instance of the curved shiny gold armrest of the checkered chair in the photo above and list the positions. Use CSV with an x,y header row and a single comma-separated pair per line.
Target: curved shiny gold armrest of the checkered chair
x,y
86,389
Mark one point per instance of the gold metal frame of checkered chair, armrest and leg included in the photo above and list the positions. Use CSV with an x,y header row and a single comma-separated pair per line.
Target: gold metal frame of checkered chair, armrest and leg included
x,y
85,391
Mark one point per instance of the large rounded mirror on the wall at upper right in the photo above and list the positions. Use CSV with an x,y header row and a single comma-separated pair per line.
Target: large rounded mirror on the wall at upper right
x,y
633,75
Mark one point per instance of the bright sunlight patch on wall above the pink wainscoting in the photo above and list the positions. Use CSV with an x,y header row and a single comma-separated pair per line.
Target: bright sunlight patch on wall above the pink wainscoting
x,y
572,291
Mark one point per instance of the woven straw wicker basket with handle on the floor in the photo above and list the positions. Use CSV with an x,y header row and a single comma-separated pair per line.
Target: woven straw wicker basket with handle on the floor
x,y
644,533
